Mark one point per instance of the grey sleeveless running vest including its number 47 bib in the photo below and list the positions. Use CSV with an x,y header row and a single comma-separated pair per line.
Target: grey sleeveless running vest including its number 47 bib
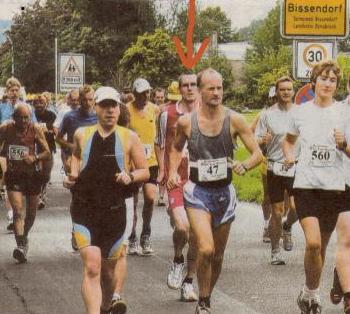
x,y
208,154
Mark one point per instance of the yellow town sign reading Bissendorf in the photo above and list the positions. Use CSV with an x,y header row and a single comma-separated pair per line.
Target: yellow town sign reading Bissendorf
x,y
314,18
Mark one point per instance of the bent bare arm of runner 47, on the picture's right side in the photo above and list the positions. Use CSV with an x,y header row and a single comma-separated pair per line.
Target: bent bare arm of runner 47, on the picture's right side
x,y
239,124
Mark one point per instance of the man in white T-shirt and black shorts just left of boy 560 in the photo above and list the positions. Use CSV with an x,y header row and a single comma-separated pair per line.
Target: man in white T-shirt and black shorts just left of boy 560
x,y
270,133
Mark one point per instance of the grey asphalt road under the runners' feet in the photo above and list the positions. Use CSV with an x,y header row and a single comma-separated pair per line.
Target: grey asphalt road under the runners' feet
x,y
50,282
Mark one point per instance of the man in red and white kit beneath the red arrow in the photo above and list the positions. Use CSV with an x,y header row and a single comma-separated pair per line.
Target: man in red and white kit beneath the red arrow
x,y
181,234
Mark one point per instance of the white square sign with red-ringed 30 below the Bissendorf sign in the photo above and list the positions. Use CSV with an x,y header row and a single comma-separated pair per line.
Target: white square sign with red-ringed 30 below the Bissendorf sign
x,y
308,53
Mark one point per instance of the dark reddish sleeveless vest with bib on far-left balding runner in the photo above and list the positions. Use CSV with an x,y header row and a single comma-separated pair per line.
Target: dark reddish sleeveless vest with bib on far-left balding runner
x,y
16,146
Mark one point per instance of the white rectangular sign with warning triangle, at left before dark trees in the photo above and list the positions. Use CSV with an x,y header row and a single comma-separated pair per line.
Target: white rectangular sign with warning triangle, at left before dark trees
x,y
71,71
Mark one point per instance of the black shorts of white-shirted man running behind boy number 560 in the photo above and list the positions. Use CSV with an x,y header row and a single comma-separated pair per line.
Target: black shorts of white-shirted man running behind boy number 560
x,y
276,185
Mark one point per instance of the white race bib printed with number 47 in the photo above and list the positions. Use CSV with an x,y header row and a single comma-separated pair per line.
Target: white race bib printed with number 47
x,y
212,169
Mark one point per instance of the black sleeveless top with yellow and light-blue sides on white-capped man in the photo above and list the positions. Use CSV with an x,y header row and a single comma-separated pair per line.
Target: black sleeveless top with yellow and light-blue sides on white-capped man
x,y
102,158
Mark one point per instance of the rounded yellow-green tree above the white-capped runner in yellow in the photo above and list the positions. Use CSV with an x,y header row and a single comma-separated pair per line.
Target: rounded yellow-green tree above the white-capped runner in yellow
x,y
154,58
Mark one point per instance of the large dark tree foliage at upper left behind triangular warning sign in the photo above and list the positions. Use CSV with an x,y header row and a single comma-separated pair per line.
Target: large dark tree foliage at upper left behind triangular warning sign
x,y
102,29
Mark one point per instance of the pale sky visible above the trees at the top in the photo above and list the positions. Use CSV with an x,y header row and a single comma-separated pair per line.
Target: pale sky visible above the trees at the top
x,y
241,12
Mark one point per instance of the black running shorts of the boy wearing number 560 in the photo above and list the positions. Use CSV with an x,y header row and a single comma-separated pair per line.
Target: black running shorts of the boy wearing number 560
x,y
322,204
